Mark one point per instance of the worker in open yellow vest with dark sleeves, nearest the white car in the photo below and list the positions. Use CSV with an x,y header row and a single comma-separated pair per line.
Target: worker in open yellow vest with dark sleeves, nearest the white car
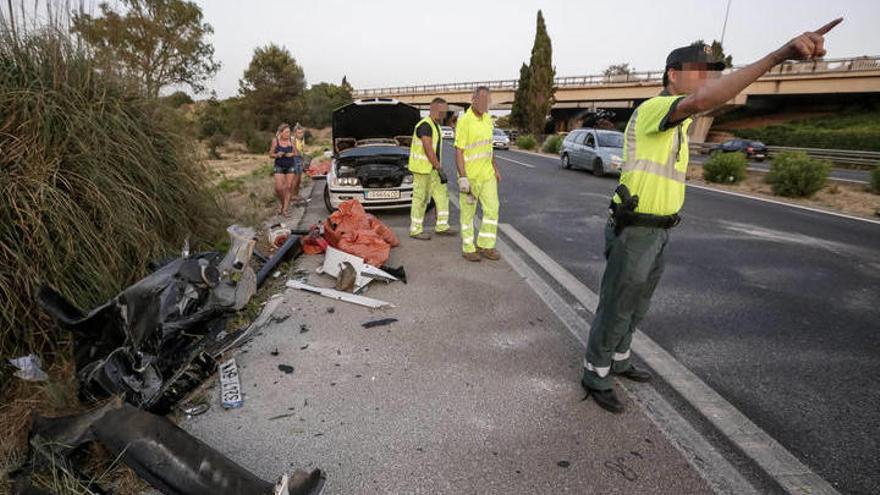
x,y
429,180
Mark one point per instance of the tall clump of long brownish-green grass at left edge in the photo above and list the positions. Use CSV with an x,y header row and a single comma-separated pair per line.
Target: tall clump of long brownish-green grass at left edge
x,y
95,181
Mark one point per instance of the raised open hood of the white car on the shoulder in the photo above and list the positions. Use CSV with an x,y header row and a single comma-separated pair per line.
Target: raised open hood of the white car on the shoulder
x,y
373,118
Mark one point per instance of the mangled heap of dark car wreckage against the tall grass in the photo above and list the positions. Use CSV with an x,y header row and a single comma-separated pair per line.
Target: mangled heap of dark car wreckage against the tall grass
x,y
148,343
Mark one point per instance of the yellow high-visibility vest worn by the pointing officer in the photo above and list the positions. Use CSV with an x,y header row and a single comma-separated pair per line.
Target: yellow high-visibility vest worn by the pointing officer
x,y
655,160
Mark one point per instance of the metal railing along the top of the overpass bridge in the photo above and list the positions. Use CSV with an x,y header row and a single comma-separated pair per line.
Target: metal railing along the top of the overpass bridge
x,y
642,77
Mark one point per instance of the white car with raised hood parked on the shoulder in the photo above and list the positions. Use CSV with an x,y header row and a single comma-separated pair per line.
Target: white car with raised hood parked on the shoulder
x,y
371,139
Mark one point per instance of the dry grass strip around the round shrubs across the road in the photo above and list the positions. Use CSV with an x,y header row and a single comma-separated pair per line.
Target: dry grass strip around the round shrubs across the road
x,y
850,198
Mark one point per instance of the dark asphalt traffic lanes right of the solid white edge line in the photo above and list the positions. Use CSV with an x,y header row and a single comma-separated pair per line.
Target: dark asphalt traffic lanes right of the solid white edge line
x,y
776,308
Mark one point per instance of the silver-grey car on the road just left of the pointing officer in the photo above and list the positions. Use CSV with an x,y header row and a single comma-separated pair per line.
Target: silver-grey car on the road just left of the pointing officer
x,y
597,150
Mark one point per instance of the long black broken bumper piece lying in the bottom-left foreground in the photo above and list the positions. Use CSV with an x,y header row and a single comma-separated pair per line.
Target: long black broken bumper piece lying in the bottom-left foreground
x,y
164,455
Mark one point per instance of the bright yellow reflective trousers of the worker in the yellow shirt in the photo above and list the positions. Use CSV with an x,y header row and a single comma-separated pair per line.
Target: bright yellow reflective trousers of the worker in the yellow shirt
x,y
486,193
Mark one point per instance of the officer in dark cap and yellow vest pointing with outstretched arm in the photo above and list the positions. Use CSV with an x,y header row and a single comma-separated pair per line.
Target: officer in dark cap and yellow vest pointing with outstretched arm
x,y
651,193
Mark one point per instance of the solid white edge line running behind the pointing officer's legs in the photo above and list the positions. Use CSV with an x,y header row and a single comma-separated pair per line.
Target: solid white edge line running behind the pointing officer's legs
x,y
790,473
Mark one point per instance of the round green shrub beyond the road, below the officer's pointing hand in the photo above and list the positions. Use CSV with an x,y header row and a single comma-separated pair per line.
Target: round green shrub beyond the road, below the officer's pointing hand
x,y
795,174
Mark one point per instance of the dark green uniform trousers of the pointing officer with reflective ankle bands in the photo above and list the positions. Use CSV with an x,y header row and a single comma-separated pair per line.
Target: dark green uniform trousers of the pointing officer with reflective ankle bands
x,y
635,263
